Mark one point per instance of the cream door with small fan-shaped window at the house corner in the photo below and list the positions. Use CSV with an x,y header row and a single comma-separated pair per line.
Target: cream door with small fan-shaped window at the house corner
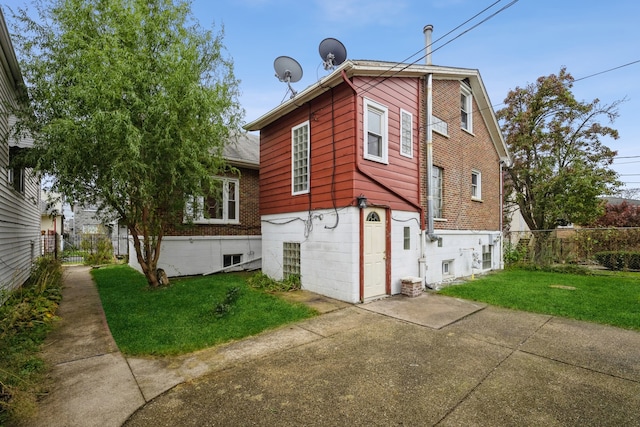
x,y
375,257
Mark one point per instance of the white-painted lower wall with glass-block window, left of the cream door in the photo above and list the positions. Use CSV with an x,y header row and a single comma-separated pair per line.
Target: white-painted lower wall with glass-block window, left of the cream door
x,y
329,257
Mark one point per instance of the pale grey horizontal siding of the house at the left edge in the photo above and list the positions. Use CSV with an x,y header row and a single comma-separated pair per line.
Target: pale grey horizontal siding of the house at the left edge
x,y
19,213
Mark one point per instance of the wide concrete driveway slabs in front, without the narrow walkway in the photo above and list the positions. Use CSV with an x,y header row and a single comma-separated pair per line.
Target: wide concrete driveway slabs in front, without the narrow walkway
x,y
423,361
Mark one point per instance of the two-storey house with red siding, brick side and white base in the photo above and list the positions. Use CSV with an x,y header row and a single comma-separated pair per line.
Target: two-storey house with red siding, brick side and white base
x,y
346,169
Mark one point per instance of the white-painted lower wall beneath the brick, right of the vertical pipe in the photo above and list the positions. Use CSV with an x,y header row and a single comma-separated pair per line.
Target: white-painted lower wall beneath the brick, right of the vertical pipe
x,y
458,248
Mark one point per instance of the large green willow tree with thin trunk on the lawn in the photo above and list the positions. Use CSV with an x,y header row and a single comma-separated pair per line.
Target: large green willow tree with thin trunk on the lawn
x,y
131,103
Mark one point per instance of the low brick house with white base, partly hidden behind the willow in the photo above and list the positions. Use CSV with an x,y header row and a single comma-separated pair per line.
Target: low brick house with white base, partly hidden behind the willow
x,y
225,234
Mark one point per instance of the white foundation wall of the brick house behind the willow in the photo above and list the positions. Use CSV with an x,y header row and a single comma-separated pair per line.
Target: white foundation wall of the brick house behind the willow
x,y
196,255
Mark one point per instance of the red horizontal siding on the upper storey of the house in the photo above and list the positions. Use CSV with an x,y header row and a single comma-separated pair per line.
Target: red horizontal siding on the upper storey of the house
x,y
337,129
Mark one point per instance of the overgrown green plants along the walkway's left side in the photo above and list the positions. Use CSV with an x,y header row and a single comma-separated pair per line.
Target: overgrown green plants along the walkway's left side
x,y
25,319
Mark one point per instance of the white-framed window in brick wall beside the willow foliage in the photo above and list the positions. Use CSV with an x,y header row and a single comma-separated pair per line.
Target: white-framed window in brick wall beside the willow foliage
x,y
221,206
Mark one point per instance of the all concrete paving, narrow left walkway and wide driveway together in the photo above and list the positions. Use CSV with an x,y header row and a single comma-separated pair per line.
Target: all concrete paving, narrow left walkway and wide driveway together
x,y
430,360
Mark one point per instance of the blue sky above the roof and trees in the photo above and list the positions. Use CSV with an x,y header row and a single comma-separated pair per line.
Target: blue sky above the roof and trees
x,y
527,40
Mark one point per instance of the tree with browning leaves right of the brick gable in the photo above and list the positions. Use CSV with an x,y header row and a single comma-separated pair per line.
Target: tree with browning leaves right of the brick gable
x,y
560,165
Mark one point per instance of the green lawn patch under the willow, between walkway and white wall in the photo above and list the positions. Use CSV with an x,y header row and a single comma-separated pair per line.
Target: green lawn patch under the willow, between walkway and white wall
x,y
190,314
